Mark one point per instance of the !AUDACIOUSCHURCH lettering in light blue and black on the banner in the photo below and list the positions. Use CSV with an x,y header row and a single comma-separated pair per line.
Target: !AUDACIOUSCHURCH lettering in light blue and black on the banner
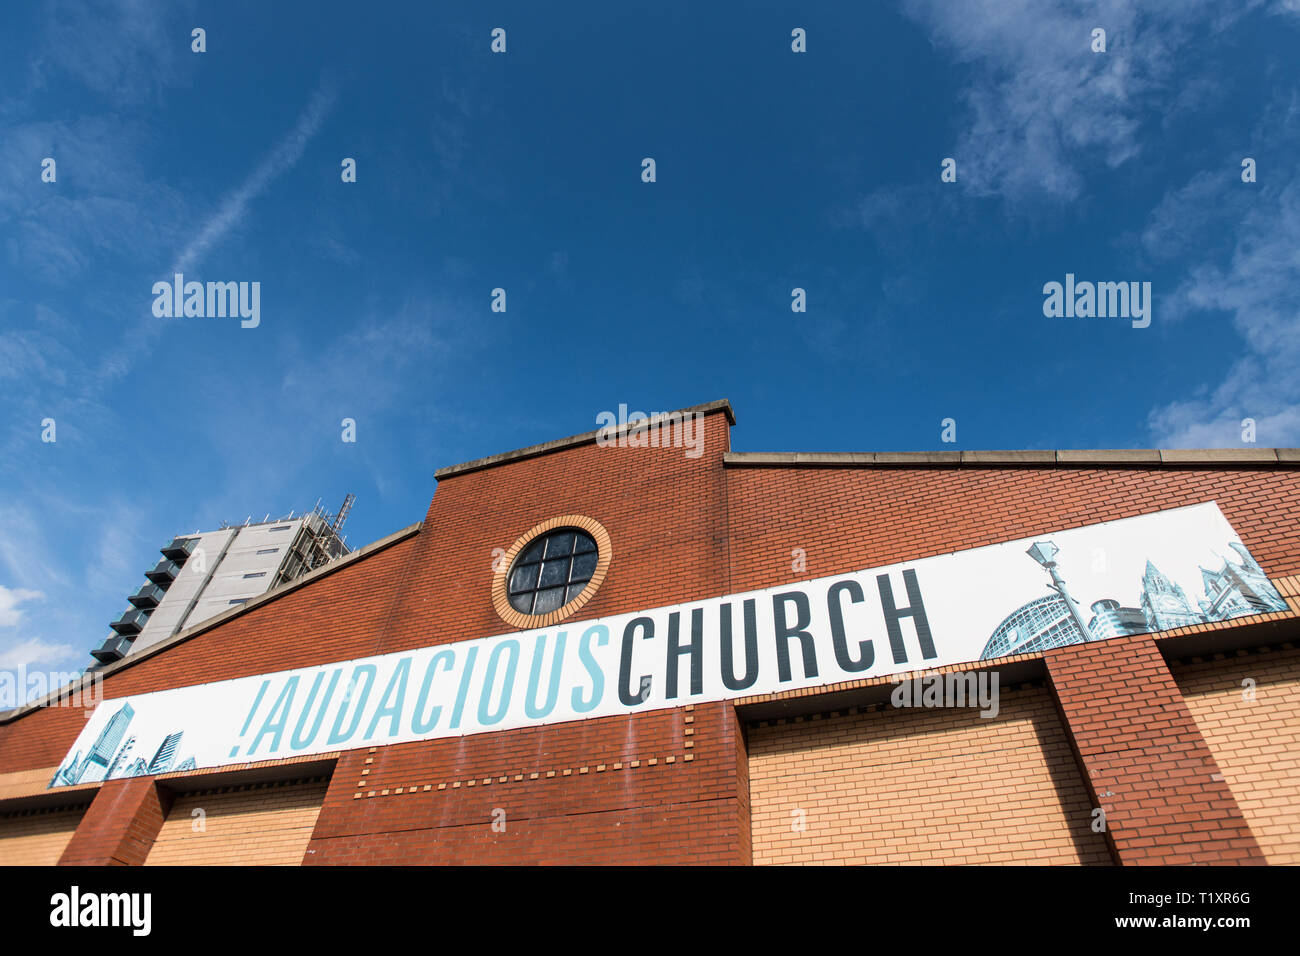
x,y
655,659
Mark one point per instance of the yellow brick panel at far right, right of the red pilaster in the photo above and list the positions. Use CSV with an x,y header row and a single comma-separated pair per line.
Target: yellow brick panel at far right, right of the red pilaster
x,y
1255,743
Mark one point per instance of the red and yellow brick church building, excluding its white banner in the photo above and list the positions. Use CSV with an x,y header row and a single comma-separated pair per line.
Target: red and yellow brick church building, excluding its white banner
x,y
1188,739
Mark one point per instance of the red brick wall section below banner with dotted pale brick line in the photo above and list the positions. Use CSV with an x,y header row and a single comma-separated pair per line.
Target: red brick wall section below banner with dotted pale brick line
x,y
617,790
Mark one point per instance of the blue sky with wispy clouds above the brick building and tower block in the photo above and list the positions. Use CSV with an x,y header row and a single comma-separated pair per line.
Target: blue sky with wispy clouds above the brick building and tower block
x,y
523,171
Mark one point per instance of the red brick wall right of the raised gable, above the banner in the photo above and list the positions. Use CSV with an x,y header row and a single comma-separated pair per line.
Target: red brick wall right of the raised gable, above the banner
x,y
856,518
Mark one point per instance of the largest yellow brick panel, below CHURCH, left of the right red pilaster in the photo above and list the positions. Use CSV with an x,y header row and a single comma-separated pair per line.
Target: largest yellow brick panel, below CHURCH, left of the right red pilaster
x,y
922,786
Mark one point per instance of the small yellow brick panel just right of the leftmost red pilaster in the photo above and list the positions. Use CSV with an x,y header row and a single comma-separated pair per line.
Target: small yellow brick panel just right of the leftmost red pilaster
x,y
259,827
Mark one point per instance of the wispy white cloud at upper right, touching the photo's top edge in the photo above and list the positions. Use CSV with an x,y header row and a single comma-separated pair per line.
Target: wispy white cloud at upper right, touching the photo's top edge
x,y
1042,107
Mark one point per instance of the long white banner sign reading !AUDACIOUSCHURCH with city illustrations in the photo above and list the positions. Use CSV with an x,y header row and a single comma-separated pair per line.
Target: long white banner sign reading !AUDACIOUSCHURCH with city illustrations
x,y
1137,576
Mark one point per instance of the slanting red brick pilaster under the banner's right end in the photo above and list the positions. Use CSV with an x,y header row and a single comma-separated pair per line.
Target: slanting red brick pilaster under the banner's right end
x,y
1145,759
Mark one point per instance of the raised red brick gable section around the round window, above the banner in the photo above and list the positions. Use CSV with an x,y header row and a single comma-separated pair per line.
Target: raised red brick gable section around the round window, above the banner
x,y
664,512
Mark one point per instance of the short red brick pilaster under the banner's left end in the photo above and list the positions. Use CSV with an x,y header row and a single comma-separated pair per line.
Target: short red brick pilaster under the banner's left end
x,y
120,825
